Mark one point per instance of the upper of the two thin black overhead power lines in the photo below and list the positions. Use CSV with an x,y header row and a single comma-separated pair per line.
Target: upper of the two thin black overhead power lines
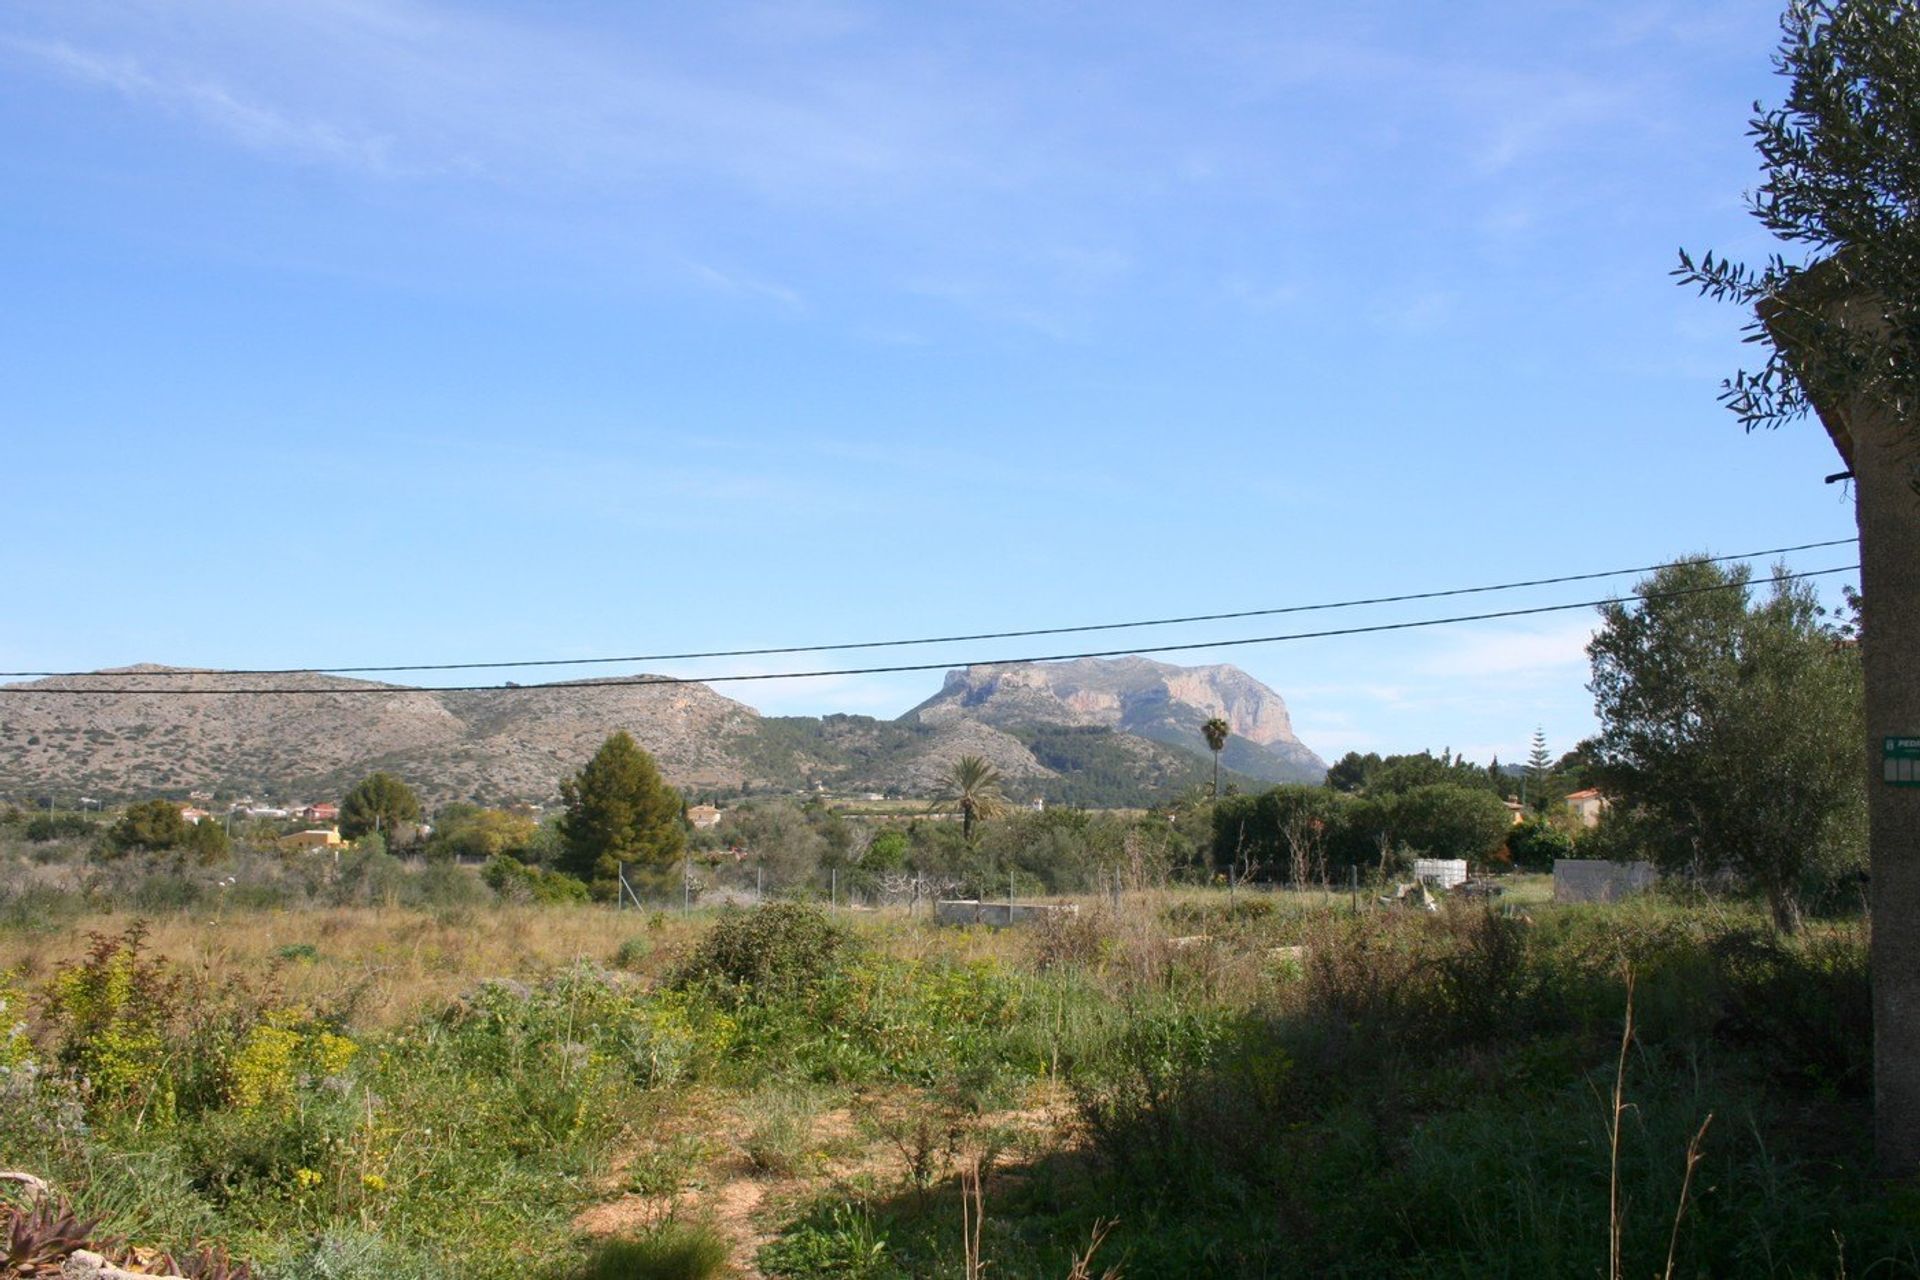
x,y
974,636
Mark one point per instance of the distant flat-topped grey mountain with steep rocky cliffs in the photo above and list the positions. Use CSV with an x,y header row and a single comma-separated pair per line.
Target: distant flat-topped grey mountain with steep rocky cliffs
x,y
1149,699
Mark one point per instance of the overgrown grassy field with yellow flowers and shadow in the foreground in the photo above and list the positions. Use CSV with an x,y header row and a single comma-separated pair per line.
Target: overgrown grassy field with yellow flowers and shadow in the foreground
x,y
1270,1087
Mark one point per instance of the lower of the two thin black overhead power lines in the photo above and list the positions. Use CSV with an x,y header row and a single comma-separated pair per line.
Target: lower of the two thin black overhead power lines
x,y
915,667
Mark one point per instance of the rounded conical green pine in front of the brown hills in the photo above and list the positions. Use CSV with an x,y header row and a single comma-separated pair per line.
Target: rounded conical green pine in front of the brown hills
x,y
619,809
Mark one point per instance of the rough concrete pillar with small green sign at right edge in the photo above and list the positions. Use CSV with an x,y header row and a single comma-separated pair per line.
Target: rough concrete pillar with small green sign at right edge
x,y
1883,454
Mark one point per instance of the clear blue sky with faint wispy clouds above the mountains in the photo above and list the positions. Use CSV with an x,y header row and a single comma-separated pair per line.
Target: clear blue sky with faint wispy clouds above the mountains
x,y
383,331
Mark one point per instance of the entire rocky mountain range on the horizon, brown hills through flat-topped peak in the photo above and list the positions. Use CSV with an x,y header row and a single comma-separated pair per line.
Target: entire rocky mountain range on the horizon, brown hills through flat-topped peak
x,y
1088,740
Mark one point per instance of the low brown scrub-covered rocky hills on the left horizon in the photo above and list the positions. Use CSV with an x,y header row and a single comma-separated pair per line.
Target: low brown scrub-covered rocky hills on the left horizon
x,y
500,746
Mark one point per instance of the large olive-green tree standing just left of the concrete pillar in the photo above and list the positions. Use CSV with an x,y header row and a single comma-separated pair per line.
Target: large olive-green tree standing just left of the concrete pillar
x,y
1735,726
